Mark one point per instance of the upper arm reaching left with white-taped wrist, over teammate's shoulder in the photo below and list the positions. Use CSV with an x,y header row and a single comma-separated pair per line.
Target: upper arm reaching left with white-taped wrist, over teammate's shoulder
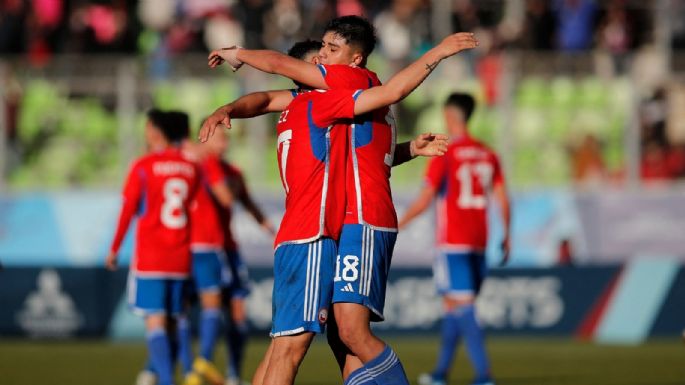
x,y
271,62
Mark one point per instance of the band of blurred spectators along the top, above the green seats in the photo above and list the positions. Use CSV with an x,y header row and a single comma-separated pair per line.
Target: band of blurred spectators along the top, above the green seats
x,y
42,27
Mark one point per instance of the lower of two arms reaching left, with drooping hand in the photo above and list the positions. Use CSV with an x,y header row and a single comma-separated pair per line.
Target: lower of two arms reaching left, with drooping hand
x,y
248,106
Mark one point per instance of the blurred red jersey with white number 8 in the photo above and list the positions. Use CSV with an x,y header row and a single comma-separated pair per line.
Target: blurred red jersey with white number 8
x,y
159,189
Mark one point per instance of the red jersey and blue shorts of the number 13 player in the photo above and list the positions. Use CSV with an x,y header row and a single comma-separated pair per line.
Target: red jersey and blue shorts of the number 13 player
x,y
463,179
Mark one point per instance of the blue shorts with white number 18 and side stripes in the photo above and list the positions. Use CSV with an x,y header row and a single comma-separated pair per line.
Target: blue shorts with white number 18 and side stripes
x,y
362,267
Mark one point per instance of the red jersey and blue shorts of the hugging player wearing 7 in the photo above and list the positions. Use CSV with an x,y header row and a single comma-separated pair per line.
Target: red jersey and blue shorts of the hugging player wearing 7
x,y
311,160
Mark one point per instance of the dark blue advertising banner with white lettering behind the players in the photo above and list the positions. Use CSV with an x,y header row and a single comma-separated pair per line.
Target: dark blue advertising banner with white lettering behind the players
x,y
75,302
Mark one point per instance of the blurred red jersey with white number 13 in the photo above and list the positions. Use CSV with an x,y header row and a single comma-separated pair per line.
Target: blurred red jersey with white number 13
x,y
463,178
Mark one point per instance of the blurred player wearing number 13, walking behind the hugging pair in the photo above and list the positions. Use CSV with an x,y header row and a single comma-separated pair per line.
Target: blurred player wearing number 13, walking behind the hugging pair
x,y
462,180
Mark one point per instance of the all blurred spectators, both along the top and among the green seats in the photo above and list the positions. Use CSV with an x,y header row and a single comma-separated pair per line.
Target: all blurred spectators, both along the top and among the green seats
x,y
160,29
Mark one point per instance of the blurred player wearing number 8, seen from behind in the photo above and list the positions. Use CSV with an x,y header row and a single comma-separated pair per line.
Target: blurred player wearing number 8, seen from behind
x,y
159,189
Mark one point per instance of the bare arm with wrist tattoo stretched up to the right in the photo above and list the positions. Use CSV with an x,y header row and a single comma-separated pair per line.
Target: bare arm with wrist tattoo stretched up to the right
x,y
405,81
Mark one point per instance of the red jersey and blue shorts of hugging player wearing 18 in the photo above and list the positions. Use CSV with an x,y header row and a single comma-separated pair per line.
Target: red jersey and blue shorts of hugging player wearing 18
x,y
370,230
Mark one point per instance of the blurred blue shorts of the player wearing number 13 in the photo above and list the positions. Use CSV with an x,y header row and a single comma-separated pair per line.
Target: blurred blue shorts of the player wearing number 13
x,y
459,274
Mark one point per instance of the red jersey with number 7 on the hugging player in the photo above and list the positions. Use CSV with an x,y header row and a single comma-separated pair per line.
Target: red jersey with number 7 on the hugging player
x,y
311,160
